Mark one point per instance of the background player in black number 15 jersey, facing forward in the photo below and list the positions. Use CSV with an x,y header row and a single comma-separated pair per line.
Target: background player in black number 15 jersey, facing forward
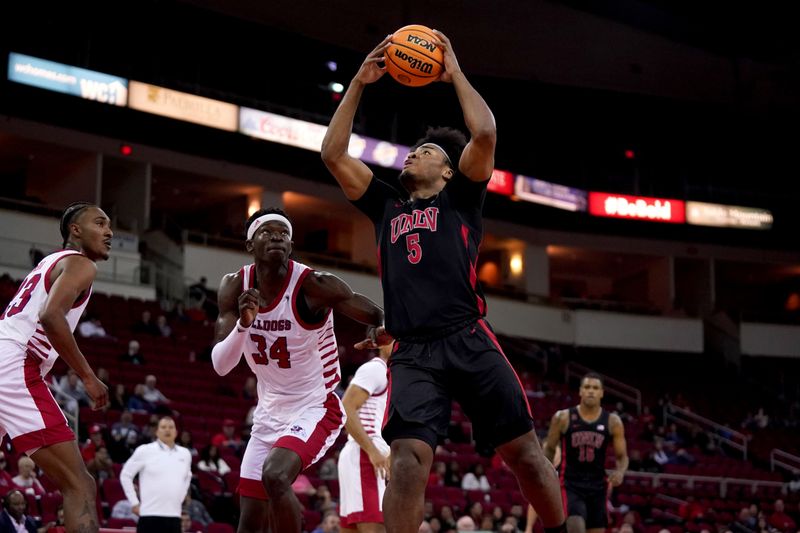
x,y
584,432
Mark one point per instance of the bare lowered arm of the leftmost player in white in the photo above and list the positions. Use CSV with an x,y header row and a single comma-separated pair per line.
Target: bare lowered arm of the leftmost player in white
x,y
73,277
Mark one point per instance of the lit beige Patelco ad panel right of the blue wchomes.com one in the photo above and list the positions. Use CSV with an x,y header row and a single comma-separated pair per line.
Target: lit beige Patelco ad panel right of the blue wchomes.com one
x,y
183,106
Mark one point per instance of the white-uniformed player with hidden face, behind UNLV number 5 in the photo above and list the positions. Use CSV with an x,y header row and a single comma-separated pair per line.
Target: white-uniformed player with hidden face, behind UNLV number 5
x,y
364,460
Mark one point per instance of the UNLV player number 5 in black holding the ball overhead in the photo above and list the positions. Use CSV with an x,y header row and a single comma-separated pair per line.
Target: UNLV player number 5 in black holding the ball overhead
x,y
428,242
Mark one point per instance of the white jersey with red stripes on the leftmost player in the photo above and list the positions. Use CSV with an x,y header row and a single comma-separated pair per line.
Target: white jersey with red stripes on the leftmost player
x,y
19,322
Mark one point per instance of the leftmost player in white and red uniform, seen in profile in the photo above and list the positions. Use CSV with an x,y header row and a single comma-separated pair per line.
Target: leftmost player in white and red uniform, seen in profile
x,y
36,328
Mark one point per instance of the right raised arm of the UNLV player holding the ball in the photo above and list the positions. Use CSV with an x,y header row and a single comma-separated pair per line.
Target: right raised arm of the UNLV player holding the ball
x,y
477,160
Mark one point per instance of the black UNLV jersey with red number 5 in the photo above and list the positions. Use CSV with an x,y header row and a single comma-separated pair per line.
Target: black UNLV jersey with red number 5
x,y
427,255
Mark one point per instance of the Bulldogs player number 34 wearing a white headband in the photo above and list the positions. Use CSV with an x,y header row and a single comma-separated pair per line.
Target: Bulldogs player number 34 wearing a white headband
x,y
277,313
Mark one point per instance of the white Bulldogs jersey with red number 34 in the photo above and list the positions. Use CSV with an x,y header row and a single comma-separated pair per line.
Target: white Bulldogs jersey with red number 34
x,y
296,364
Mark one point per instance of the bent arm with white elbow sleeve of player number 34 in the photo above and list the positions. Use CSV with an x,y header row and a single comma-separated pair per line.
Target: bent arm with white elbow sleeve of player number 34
x,y
230,332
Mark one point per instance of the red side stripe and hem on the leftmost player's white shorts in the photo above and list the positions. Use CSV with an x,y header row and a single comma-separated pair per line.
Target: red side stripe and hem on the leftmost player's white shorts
x,y
56,429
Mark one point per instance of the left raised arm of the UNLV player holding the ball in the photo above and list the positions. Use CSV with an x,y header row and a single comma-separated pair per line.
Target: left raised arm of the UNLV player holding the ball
x,y
352,174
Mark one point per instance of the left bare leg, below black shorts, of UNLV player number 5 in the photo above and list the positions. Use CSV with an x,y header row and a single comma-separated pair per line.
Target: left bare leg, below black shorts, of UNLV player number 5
x,y
404,502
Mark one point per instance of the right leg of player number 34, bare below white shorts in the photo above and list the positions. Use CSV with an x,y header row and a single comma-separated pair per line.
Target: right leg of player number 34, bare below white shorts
x,y
280,471
